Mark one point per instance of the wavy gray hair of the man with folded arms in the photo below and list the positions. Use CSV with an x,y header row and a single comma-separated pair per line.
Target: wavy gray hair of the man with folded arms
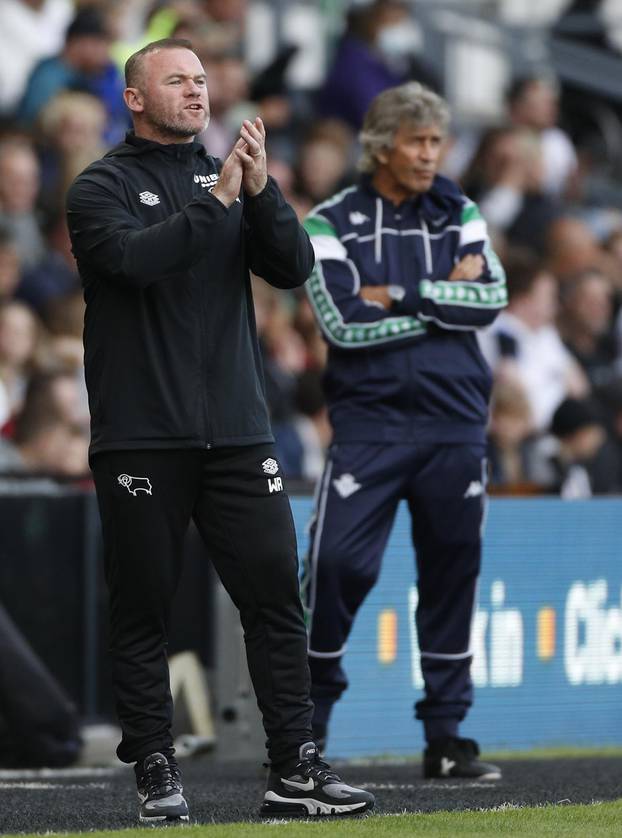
x,y
410,103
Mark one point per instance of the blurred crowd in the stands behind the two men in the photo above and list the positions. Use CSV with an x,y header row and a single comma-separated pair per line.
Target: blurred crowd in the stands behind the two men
x,y
536,140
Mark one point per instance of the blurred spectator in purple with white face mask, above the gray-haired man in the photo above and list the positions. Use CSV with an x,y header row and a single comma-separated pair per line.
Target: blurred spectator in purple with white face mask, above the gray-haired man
x,y
377,50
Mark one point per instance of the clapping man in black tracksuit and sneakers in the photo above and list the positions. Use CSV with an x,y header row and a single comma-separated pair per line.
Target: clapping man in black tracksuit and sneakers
x,y
165,237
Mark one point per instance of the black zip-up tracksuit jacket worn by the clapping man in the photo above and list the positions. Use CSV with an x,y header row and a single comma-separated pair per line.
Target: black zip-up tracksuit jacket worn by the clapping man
x,y
171,353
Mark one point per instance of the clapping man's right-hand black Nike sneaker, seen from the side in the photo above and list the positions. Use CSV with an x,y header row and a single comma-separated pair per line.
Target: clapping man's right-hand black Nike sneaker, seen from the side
x,y
309,788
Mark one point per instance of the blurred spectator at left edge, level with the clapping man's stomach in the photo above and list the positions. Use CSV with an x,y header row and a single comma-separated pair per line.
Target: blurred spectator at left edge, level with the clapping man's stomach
x,y
20,339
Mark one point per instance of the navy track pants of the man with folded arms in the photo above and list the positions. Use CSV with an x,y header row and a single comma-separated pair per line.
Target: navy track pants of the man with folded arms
x,y
357,499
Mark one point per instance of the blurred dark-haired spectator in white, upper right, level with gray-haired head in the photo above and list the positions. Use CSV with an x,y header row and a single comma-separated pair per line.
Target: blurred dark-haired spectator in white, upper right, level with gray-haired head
x,y
533,103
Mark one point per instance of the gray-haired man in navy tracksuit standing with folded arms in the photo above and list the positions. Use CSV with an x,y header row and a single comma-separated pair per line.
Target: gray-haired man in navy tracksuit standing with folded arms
x,y
404,277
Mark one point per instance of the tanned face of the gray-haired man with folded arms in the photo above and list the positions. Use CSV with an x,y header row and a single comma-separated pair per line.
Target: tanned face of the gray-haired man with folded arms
x,y
409,166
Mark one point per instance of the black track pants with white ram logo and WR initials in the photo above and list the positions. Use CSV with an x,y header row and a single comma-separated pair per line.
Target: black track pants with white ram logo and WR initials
x,y
235,495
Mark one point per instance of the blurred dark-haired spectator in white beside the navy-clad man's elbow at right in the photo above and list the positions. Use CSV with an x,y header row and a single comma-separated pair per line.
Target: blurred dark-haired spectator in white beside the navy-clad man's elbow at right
x,y
523,343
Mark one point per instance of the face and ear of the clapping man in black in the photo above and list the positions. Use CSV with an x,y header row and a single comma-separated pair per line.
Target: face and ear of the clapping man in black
x,y
171,96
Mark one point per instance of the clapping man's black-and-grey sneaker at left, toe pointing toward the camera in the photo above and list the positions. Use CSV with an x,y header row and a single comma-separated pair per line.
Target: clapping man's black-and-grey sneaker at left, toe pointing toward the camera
x,y
160,791
